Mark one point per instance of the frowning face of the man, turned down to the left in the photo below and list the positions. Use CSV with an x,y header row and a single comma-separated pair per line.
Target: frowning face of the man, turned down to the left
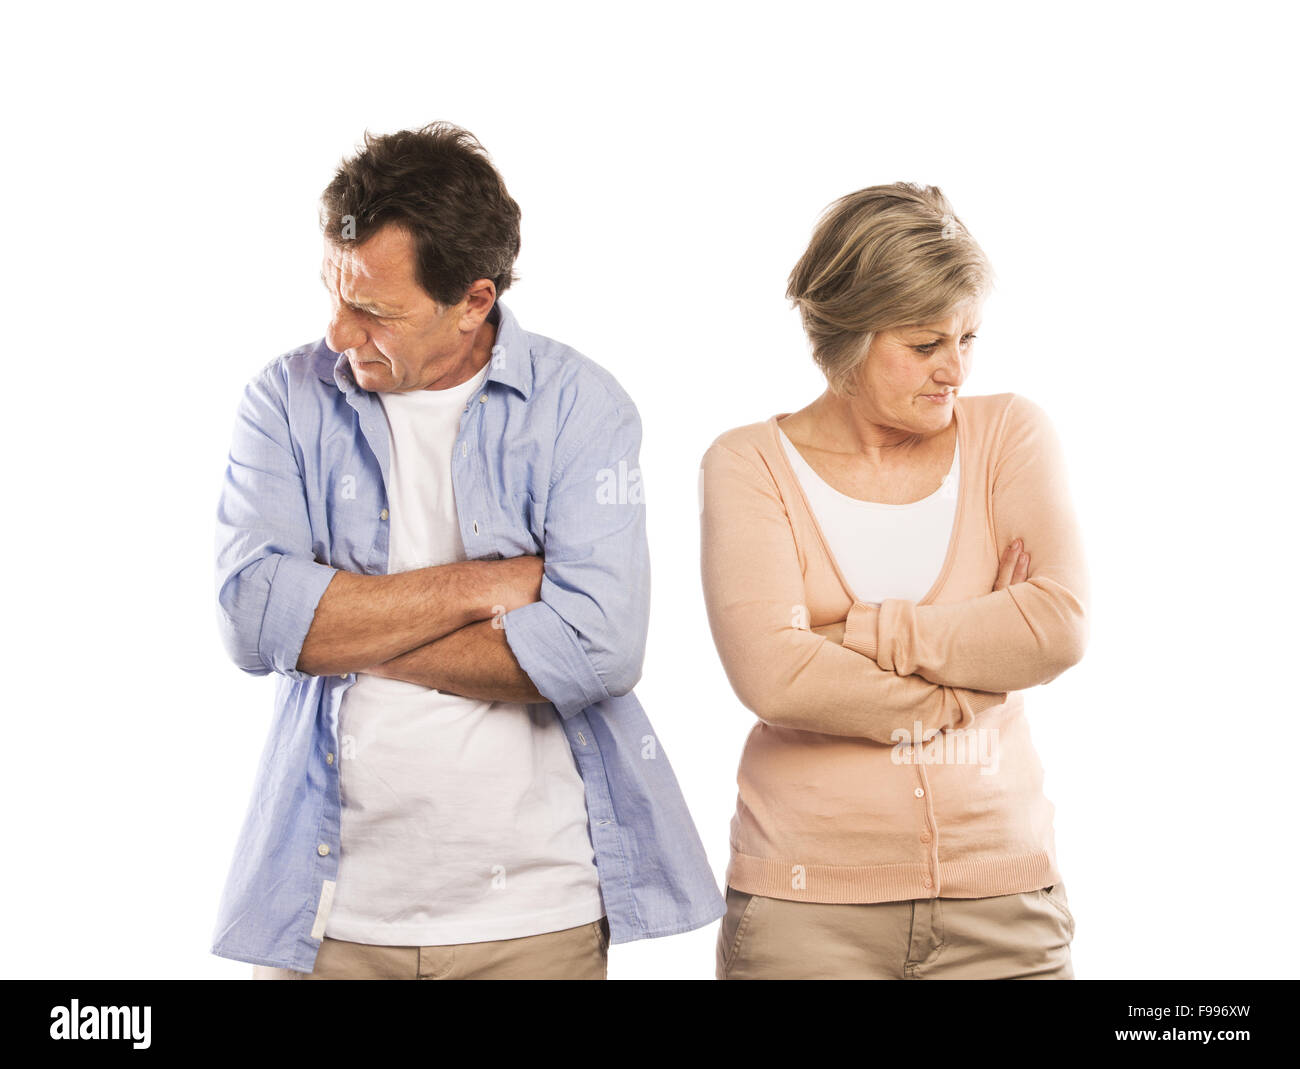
x,y
395,335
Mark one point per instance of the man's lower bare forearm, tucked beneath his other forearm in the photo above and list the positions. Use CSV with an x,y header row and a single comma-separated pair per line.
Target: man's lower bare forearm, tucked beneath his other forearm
x,y
475,663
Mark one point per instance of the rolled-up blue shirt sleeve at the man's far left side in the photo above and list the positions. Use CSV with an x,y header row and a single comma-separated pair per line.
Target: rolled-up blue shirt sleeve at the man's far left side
x,y
268,579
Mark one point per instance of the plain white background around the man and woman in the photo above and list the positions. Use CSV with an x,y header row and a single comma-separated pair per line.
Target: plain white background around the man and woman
x,y
1129,170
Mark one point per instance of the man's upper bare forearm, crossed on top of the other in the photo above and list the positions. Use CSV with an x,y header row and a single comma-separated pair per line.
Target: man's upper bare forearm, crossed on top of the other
x,y
367,620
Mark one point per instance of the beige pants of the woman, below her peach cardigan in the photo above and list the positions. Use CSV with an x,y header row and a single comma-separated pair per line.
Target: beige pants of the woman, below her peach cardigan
x,y
1008,937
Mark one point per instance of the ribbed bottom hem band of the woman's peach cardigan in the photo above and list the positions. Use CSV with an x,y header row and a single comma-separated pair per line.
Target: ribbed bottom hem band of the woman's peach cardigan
x,y
977,878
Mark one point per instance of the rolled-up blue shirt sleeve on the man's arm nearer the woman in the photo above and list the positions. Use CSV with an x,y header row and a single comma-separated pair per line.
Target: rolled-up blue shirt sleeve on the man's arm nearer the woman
x,y
584,640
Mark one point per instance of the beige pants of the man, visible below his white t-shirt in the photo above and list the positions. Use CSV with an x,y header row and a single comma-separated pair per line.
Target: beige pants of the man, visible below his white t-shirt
x,y
573,954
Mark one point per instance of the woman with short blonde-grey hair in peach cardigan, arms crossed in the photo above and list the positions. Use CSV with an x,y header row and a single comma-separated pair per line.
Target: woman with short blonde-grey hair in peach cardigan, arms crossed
x,y
885,572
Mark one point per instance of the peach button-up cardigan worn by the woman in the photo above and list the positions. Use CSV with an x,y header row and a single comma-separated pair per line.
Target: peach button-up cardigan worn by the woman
x,y
900,764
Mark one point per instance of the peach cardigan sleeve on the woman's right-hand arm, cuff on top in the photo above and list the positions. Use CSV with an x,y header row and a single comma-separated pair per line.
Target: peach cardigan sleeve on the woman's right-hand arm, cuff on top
x,y
1020,637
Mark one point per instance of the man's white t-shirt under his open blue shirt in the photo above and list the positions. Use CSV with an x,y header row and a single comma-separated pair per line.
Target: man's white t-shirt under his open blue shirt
x,y
463,821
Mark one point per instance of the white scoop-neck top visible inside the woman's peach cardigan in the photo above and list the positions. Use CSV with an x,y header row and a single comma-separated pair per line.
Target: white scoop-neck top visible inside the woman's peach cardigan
x,y
885,551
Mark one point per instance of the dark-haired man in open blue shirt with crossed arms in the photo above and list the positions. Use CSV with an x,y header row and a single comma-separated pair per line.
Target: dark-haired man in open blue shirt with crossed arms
x,y
432,529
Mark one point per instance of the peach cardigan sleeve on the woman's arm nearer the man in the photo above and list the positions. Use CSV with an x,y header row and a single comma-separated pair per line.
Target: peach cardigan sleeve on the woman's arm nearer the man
x,y
779,669
